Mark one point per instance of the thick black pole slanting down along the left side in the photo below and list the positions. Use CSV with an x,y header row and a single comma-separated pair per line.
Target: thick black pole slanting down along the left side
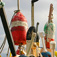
x,y
7,31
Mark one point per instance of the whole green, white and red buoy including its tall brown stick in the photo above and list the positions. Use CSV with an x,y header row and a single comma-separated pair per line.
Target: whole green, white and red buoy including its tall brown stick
x,y
49,28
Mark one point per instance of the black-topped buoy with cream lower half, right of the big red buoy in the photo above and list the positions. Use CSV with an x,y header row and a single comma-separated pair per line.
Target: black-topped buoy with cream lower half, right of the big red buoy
x,y
29,36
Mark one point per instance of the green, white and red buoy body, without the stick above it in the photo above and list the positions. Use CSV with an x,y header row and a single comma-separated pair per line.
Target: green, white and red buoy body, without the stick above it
x,y
49,33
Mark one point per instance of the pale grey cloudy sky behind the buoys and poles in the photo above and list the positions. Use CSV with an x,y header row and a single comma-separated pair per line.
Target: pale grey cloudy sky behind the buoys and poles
x,y
41,12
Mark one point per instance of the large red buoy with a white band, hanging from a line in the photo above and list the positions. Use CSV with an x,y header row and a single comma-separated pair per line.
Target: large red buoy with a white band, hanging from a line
x,y
19,28
